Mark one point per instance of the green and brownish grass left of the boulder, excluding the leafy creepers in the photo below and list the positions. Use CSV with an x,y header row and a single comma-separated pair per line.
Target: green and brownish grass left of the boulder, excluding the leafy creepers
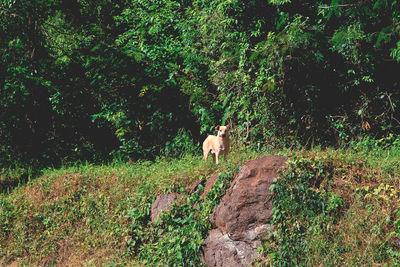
x,y
80,214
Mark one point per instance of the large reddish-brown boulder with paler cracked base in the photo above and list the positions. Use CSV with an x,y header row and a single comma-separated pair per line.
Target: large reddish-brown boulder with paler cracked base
x,y
243,215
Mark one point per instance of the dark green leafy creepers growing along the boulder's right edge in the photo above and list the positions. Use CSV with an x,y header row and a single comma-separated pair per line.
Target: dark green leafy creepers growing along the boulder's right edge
x,y
301,209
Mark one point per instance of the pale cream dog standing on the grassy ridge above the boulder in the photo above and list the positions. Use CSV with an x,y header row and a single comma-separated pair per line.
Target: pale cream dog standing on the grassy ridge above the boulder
x,y
217,145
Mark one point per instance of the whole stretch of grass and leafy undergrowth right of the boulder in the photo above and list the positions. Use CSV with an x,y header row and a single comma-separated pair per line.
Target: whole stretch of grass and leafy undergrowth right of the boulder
x,y
337,207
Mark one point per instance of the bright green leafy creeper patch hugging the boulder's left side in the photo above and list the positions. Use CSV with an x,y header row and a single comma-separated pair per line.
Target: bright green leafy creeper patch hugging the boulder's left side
x,y
176,238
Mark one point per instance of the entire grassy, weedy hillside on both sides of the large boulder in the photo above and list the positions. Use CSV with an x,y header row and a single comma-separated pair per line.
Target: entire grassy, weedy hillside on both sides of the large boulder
x,y
99,215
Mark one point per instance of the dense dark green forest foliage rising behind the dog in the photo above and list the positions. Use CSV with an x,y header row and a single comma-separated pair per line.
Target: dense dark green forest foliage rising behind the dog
x,y
94,79
